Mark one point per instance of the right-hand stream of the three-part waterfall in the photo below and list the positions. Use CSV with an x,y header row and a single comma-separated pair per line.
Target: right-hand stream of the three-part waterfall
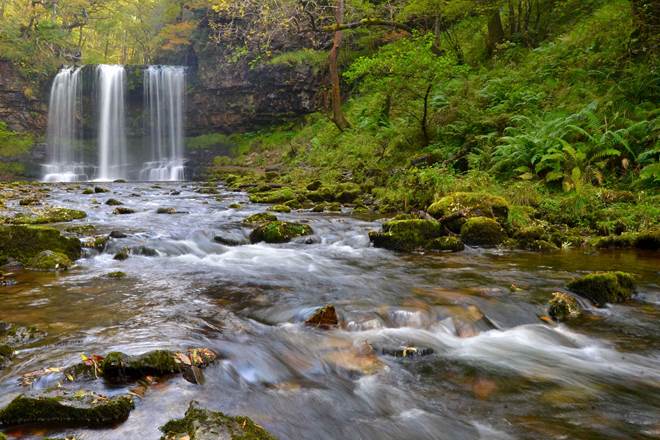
x,y
164,88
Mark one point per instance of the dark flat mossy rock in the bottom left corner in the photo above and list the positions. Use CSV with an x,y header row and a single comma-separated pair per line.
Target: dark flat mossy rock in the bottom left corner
x,y
66,409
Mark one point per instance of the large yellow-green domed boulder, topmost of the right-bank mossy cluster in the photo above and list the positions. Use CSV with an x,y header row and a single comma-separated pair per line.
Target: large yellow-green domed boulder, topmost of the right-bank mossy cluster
x,y
466,205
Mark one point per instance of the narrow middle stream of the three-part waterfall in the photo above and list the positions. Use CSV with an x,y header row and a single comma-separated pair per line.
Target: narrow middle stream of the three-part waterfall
x,y
113,155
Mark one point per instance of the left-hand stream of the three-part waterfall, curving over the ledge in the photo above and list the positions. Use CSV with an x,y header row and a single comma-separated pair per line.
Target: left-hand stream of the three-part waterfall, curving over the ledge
x,y
65,128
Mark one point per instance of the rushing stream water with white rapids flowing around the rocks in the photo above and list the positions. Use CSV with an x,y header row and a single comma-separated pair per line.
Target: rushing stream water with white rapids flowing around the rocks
x,y
497,371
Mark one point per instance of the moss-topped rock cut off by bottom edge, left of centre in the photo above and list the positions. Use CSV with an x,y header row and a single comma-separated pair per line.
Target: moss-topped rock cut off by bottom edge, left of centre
x,y
201,424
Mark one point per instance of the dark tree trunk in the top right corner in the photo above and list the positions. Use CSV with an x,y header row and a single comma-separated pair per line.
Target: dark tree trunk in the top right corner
x,y
646,18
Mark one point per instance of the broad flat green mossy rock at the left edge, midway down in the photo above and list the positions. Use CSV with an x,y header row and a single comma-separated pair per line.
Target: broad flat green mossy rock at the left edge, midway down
x,y
25,242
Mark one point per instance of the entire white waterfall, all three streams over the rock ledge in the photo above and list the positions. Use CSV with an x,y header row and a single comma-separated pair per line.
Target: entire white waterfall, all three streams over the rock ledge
x,y
133,130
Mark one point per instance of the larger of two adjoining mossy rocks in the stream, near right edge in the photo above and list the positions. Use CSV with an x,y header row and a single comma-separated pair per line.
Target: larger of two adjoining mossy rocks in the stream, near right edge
x,y
604,287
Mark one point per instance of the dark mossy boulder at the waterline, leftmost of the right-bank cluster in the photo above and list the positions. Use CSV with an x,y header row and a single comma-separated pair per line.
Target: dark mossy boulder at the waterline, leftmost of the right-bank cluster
x,y
406,235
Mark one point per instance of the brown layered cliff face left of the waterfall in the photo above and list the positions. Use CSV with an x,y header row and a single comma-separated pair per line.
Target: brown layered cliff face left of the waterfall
x,y
23,106
